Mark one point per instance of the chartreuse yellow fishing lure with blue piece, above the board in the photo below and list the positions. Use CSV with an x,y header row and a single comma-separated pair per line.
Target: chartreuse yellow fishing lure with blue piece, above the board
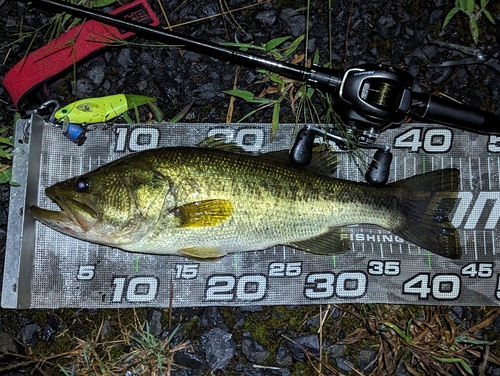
x,y
95,110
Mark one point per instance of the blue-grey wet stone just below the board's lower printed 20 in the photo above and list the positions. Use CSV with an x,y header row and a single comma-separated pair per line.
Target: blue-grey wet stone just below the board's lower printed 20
x,y
219,347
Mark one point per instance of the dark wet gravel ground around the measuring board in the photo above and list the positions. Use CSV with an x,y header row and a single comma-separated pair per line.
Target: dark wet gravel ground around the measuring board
x,y
394,32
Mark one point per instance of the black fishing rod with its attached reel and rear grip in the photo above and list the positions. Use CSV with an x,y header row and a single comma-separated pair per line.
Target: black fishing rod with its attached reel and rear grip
x,y
368,98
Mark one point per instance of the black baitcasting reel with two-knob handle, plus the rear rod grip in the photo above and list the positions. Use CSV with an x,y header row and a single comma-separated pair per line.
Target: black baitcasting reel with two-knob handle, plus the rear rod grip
x,y
371,98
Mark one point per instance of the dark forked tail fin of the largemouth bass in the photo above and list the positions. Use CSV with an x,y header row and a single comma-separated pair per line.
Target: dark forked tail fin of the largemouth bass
x,y
426,203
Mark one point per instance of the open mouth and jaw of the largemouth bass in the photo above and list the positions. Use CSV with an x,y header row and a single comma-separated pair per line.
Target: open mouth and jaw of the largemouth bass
x,y
75,216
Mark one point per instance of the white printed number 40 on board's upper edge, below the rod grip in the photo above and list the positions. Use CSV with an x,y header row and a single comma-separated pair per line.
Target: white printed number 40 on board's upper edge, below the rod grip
x,y
434,140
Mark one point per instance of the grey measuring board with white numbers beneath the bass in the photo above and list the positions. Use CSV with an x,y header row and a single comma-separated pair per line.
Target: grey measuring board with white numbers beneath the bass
x,y
46,269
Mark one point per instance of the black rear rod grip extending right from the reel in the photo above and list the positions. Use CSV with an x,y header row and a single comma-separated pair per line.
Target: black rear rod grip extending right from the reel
x,y
447,112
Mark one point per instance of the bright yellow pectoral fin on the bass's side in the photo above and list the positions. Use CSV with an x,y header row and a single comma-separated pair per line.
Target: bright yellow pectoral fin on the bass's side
x,y
204,213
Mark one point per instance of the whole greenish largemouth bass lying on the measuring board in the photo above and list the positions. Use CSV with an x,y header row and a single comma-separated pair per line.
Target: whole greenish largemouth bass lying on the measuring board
x,y
207,202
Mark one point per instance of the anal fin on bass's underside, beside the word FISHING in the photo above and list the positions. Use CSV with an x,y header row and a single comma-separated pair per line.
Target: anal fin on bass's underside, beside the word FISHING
x,y
336,240
